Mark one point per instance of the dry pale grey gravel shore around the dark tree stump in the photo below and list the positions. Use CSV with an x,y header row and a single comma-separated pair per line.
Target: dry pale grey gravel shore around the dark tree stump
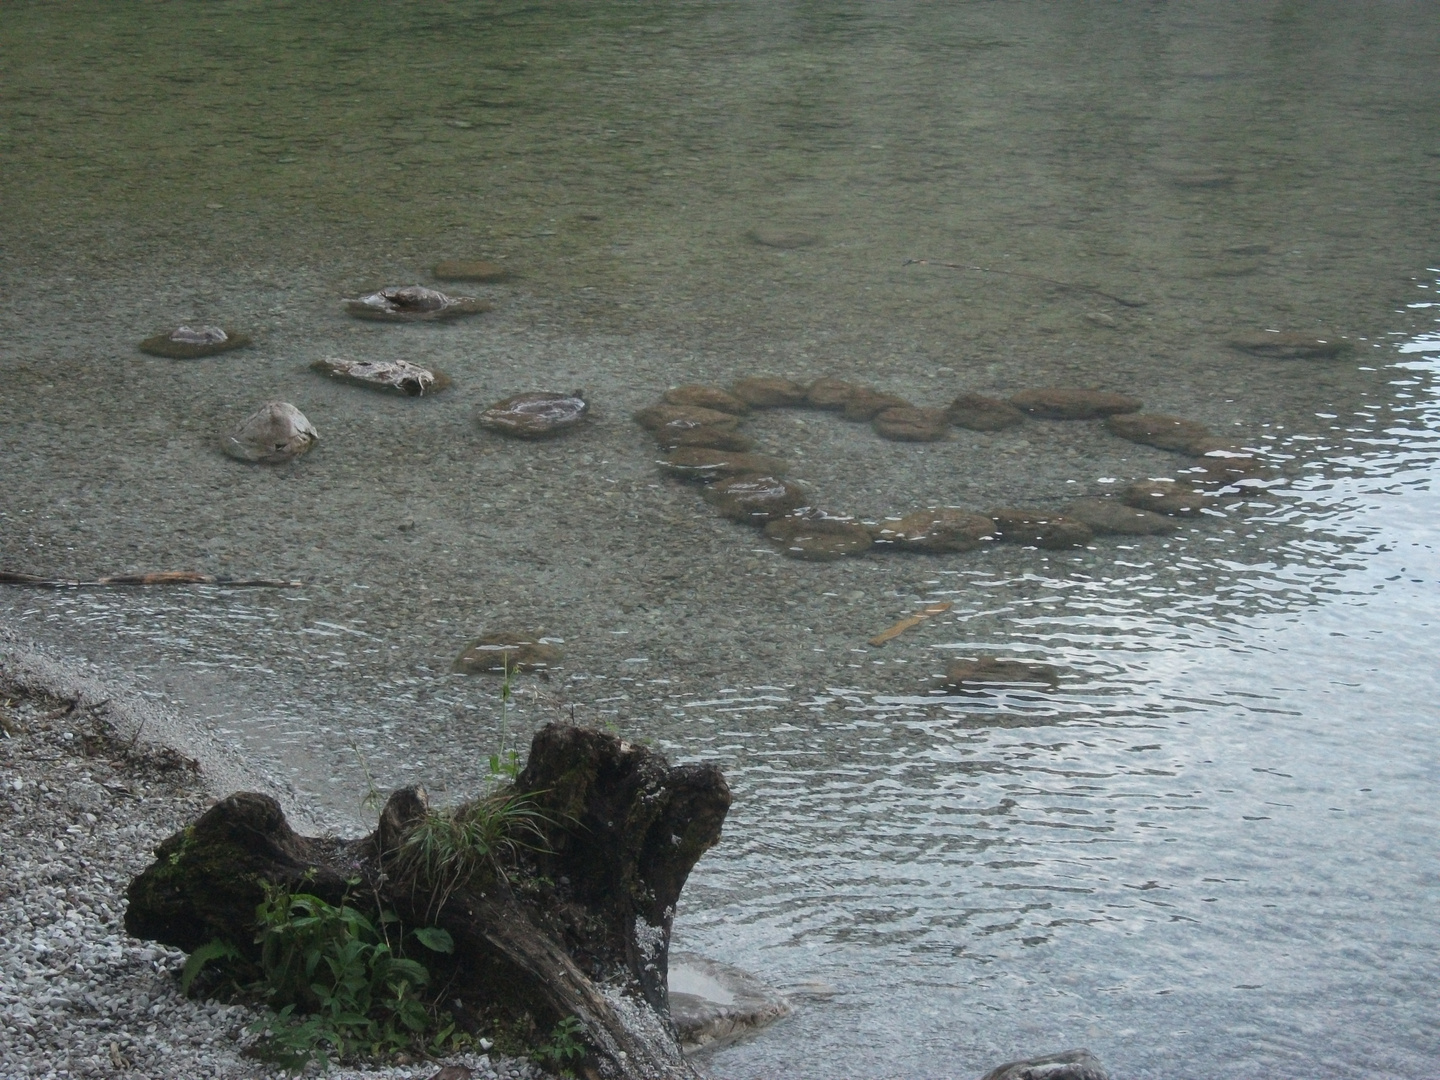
x,y
80,811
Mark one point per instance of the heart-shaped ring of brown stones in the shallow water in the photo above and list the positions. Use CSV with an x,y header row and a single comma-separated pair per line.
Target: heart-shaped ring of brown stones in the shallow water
x,y
698,427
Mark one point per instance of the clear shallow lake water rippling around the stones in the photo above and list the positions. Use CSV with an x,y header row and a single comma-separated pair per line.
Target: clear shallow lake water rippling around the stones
x,y
1210,853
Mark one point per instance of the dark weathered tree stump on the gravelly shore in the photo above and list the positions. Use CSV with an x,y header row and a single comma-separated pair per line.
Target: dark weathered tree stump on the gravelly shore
x,y
580,927
